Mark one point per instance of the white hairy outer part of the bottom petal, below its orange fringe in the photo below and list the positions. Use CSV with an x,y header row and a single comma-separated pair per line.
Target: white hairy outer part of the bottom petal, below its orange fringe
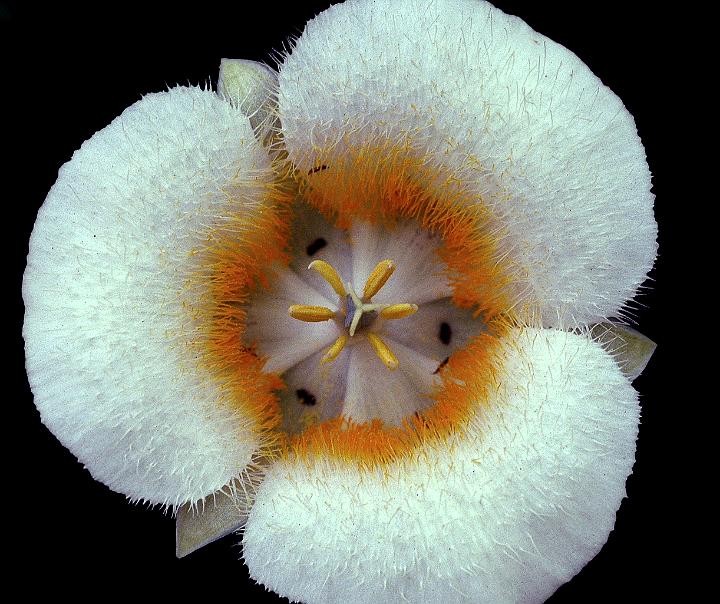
x,y
507,512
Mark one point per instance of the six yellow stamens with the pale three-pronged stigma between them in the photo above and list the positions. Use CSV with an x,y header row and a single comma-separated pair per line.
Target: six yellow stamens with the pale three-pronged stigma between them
x,y
356,312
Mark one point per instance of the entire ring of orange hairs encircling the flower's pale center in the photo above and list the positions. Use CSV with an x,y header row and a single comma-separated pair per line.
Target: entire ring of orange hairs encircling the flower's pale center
x,y
379,185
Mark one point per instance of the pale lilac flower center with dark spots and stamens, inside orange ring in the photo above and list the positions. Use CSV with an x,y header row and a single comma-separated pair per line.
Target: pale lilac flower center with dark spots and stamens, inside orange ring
x,y
355,334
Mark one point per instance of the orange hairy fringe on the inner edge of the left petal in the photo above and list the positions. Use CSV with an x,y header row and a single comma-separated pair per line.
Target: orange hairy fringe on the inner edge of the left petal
x,y
236,259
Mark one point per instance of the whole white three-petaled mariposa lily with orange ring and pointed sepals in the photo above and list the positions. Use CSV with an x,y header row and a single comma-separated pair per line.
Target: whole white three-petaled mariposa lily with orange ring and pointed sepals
x,y
367,309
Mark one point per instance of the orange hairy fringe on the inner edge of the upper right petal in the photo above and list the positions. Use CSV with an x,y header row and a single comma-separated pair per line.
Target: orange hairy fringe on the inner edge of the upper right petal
x,y
387,182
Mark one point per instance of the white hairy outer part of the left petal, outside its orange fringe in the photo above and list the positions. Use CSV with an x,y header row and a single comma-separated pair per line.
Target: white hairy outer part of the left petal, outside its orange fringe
x,y
110,317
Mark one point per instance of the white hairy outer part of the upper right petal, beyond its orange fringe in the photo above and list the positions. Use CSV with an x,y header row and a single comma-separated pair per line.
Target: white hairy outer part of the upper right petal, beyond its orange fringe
x,y
520,120
